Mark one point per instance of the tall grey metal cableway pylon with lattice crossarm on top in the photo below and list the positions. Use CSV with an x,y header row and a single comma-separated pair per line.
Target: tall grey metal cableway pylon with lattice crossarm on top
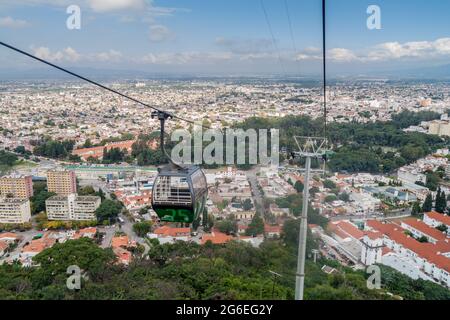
x,y
310,147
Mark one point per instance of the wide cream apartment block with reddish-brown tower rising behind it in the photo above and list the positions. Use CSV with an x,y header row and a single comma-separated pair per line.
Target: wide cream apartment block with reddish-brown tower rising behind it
x,y
72,207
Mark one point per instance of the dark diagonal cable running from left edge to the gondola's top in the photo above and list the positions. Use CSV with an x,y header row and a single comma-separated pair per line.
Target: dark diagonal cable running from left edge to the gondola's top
x,y
100,85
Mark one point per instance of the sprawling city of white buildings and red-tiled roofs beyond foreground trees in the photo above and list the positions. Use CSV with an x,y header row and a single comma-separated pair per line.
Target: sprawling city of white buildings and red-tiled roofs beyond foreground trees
x,y
78,162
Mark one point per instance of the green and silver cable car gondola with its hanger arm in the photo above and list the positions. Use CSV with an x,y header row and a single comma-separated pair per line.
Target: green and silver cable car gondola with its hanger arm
x,y
179,192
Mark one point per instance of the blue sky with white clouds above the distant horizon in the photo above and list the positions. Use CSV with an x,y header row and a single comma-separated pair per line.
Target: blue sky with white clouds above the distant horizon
x,y
227,36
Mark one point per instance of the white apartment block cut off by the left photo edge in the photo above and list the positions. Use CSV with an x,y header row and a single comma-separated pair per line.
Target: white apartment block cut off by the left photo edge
x,y
14,210
